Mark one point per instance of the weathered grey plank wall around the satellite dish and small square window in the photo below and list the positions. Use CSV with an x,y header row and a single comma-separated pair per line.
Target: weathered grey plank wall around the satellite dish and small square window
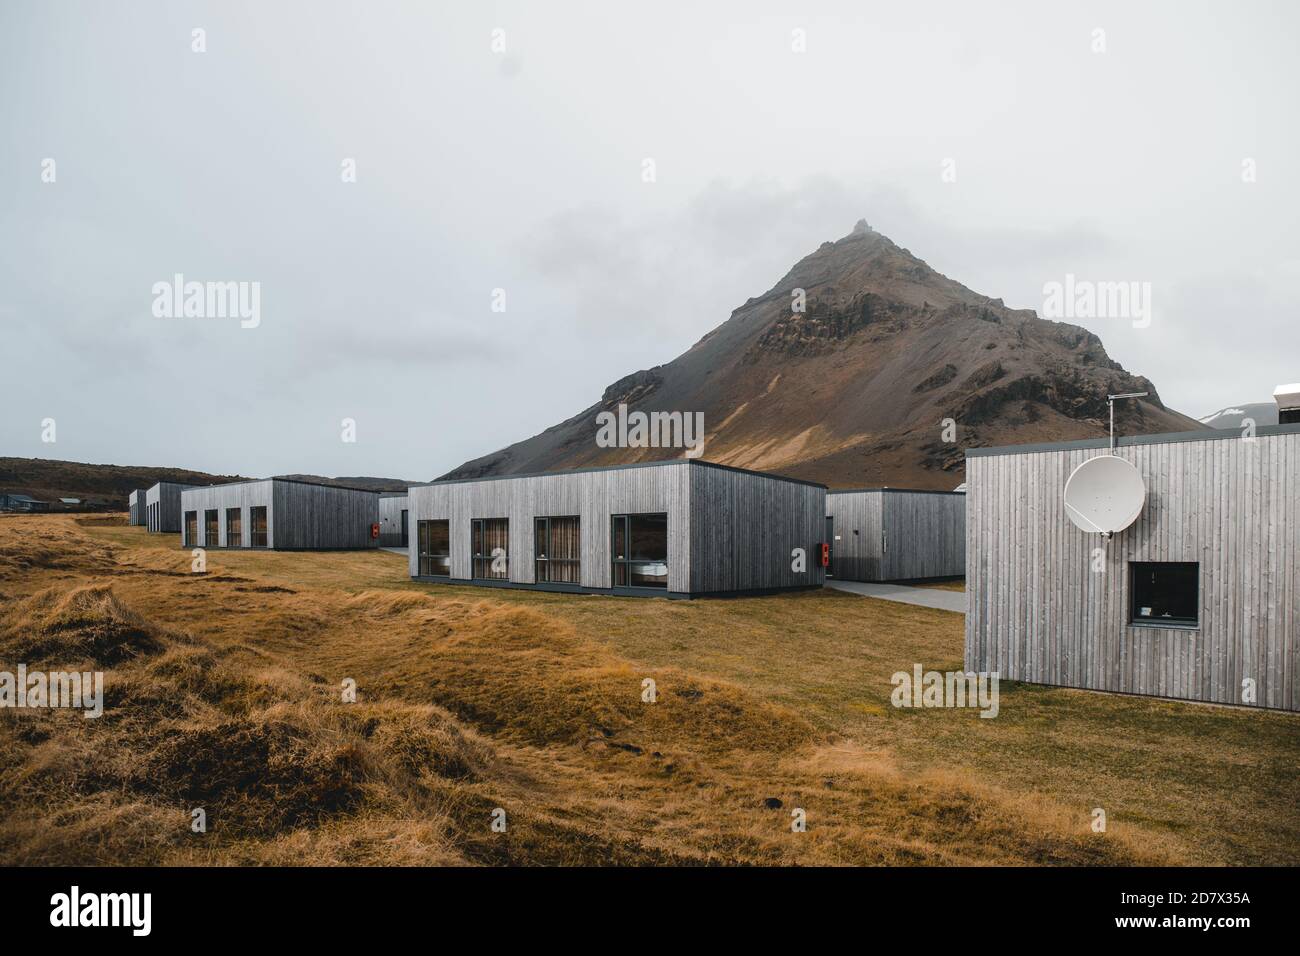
x,y
1039,613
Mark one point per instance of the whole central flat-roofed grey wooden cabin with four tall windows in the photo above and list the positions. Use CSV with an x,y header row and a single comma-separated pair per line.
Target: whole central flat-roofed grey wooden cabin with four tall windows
x,y
678,529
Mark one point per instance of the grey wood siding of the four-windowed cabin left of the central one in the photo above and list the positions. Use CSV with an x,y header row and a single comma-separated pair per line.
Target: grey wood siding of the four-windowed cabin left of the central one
x,y
300,517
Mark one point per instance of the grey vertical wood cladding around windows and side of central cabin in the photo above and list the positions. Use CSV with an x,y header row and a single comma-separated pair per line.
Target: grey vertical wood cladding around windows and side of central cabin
x,y
712,522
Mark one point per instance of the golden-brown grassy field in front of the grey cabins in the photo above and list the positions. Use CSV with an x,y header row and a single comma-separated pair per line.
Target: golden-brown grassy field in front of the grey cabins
x,y
223,693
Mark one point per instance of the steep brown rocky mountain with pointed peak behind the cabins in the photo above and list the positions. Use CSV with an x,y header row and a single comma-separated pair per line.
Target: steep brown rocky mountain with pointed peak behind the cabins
x,y
855,390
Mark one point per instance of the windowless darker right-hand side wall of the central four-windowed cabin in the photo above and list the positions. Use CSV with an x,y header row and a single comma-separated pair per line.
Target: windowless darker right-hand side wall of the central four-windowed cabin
x,y
746,527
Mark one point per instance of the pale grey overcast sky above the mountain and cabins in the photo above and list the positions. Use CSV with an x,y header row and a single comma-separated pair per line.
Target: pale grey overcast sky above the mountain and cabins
x,y
523,170
